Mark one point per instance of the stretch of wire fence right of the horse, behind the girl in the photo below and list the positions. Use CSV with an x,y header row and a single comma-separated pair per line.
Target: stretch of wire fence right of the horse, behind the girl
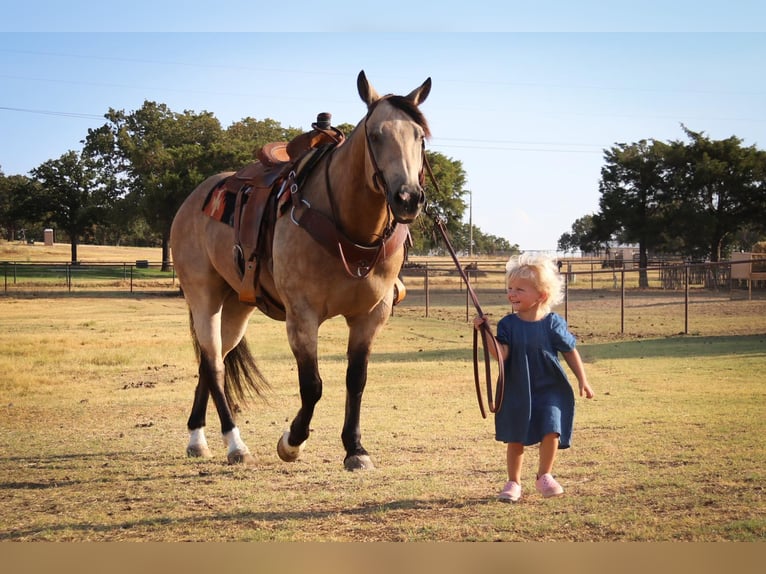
x,y
597,294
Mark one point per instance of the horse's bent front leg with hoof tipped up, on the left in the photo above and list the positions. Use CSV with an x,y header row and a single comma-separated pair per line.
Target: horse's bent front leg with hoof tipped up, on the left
x,y
303,341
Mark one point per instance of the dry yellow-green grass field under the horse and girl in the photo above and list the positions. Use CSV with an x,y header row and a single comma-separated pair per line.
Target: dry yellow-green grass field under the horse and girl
x,y
96,392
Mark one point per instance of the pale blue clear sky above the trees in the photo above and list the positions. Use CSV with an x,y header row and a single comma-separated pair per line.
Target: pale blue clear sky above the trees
x,y
527,99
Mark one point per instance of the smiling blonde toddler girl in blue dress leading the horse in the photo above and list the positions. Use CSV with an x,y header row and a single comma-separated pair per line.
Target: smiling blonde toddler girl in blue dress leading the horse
x,y
538,402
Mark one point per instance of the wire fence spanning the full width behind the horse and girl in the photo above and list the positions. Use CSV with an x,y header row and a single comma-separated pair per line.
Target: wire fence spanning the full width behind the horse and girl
x,y
599,297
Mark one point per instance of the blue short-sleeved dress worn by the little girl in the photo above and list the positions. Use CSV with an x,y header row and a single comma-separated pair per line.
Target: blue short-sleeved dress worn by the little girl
x,y
537,399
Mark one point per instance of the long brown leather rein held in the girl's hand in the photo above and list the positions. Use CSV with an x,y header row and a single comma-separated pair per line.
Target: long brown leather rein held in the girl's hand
x,y
484,330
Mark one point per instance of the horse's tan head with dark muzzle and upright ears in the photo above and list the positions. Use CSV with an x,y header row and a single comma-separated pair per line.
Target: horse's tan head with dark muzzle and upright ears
x,y
396,129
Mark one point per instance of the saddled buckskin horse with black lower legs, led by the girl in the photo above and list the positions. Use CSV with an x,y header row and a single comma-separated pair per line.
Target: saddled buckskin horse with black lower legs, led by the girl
x,y
308,234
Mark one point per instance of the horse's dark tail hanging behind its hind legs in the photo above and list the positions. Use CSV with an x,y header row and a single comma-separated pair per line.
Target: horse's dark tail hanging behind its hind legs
x,y
242,377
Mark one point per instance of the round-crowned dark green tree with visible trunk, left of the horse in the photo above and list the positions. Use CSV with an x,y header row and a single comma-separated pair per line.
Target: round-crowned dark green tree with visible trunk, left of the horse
x,y
76,195
